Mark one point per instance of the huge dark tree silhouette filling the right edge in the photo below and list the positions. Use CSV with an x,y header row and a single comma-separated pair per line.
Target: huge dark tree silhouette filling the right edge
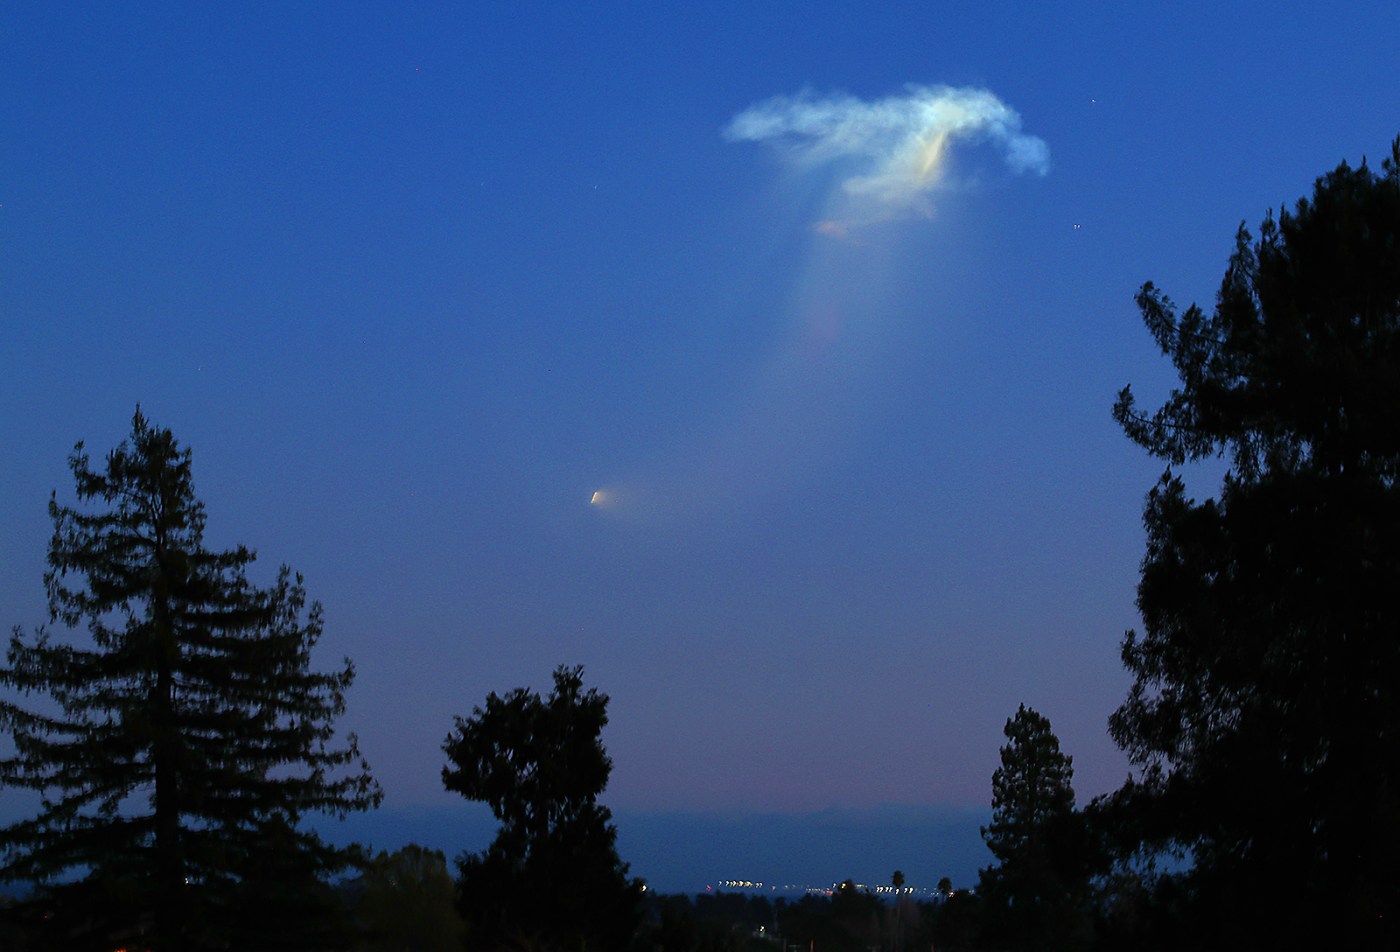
x,y
1265,716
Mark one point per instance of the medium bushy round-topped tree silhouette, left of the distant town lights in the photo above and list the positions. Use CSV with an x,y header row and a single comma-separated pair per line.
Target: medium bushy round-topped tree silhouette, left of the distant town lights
x,y
552,878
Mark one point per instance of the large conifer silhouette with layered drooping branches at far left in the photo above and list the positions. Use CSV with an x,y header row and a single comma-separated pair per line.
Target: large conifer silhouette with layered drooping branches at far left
x,y
180,750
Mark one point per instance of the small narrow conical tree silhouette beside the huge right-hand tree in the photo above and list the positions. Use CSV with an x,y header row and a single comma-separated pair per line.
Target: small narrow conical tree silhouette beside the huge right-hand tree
x,y
1038,894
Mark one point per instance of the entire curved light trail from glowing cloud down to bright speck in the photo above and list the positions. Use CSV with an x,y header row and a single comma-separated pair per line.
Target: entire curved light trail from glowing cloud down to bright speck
x,y
883,163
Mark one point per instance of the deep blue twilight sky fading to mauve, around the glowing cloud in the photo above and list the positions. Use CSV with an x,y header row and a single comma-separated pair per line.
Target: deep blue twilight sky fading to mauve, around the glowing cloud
x,y
416,281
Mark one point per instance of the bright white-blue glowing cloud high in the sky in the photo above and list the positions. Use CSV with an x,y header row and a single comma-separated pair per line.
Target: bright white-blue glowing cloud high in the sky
x,y
898,145
